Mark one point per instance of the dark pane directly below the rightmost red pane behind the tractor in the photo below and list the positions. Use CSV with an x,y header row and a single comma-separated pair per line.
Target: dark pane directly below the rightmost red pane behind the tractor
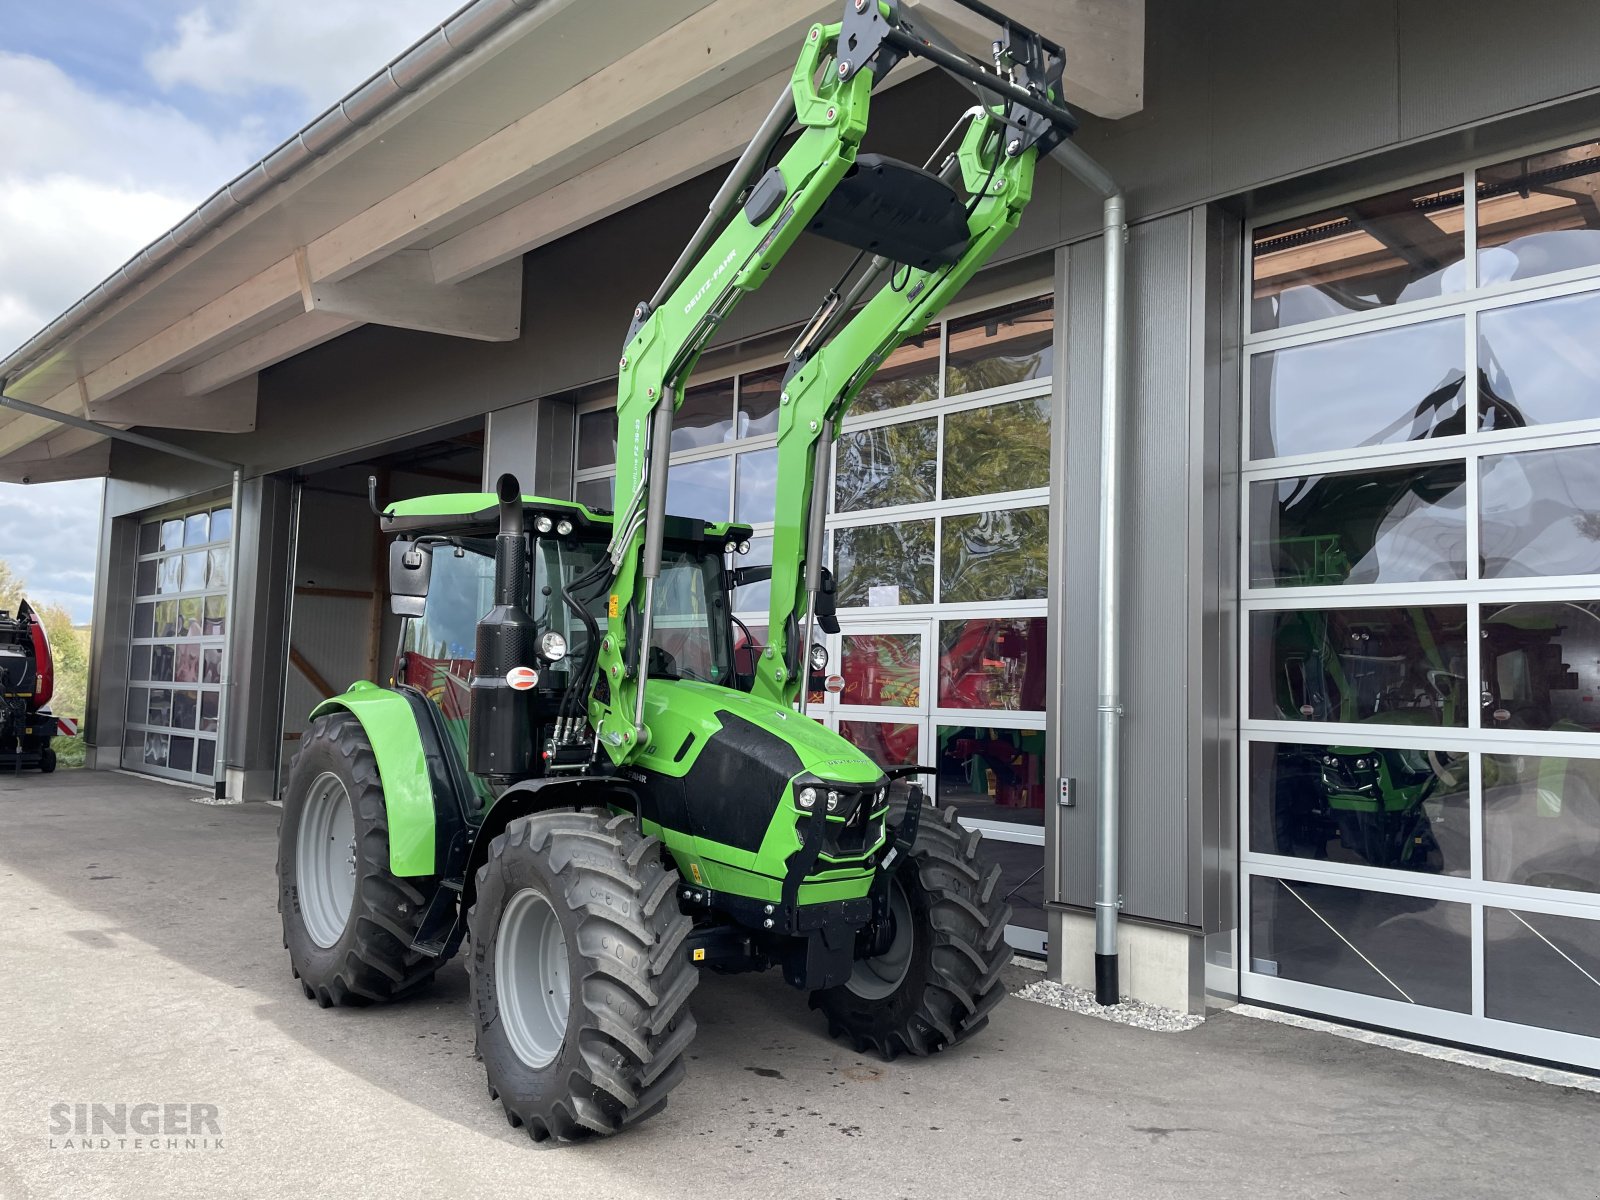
x,y
993,775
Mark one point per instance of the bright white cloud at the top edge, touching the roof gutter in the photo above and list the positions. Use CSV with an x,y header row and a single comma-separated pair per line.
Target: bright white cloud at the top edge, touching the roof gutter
x,y
316,49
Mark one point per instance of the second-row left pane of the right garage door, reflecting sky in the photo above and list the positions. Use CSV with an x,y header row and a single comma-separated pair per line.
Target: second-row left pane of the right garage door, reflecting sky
x,y
1377,388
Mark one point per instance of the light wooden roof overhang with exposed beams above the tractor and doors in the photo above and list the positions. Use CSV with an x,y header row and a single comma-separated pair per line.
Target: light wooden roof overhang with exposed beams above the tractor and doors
x,y
447,169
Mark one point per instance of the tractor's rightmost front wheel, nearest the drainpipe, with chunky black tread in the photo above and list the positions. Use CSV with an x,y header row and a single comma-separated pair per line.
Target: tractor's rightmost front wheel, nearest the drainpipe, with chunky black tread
x,y
940,978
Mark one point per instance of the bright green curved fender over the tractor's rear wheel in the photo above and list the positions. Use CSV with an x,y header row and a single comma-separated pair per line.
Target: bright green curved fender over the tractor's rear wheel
x,y
402,770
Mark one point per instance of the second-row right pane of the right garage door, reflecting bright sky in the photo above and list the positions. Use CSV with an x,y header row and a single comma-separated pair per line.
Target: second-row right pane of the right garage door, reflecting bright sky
x,y
1540,362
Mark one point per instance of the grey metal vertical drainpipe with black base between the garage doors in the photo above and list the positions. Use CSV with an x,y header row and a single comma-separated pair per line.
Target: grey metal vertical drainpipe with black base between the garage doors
x,y
1108,806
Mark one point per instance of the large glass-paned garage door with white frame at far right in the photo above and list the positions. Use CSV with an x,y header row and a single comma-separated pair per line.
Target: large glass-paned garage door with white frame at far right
x,y
1422,679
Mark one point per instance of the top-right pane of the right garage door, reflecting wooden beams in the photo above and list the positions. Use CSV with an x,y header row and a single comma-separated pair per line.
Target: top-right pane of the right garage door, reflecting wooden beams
x,y
1538,215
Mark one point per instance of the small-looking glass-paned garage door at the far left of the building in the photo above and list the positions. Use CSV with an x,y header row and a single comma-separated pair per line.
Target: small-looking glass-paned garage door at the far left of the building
x,y
180,618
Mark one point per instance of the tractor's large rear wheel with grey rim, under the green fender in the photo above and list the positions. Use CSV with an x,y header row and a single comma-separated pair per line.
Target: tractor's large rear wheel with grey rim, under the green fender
x,y
350,935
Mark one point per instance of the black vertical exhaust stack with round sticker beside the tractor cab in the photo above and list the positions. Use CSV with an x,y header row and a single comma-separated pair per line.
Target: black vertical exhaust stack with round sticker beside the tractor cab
x,y
506,662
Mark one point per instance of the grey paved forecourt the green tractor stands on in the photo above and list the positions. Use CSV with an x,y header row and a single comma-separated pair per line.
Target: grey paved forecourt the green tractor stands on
x,y
145,964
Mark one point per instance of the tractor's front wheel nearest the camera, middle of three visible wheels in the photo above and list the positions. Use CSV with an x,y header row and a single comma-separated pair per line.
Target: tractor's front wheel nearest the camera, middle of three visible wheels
x,y
580,980
